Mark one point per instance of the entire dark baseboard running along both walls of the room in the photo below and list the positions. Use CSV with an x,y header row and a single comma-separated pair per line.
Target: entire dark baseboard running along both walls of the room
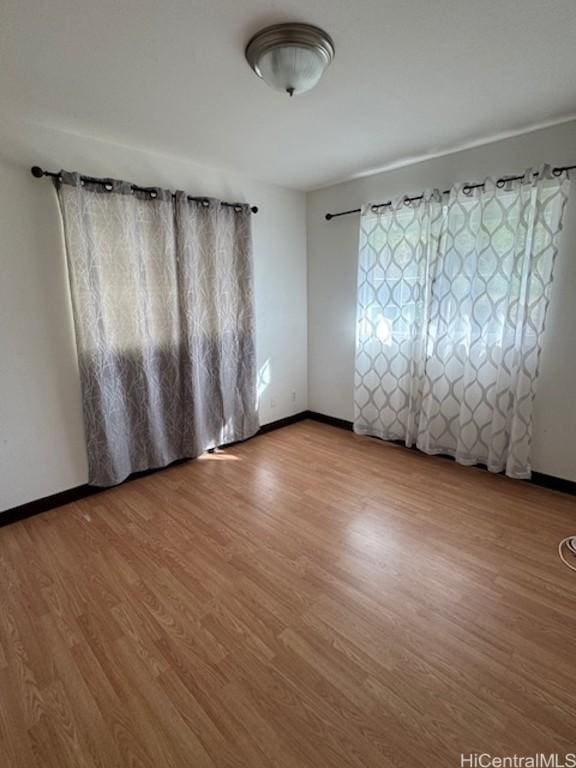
x,y
83,491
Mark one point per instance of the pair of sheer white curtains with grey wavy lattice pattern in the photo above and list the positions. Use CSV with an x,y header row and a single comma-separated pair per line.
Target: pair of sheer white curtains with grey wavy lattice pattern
x,y
452,299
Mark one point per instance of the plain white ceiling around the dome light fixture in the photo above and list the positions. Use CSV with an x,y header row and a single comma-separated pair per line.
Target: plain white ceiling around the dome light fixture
x,y
411,78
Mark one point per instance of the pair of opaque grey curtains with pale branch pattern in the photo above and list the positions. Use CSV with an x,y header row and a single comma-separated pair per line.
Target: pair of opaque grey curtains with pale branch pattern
x,y
162,296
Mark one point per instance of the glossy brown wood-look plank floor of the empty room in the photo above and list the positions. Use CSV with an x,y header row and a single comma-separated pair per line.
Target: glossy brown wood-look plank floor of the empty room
x,y
307,598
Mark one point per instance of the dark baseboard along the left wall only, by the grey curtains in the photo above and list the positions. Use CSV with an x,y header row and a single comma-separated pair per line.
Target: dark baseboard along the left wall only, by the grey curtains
x,y
71,495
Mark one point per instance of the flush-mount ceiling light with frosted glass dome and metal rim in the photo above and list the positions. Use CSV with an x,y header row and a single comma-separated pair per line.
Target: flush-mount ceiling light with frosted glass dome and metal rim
x,y
290,57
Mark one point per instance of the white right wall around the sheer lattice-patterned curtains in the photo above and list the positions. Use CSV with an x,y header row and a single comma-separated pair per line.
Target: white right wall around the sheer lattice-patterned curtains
x,y
332,261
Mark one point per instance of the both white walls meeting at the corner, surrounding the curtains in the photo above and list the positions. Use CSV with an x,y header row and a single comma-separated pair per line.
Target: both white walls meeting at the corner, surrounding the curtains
x,y
41,434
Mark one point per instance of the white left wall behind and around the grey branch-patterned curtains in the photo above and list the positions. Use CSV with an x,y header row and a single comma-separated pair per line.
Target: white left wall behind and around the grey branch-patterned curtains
x,y
41,433
